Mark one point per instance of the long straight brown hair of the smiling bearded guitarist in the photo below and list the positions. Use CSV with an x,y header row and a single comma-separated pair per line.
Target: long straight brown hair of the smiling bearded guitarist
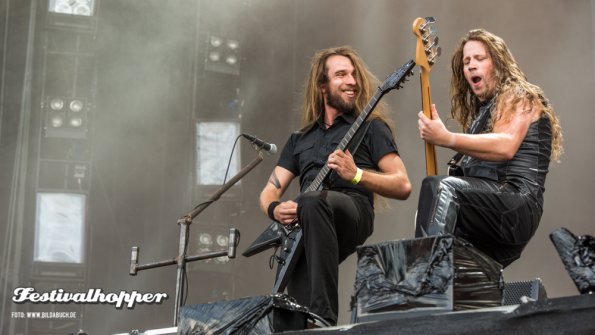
x,y
313,104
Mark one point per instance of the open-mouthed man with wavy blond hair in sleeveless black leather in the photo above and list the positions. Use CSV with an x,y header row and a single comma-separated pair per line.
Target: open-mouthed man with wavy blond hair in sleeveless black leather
x,y
494,199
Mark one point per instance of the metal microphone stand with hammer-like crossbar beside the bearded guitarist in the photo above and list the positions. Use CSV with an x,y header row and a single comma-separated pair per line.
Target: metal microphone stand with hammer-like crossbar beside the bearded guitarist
x,y
184,223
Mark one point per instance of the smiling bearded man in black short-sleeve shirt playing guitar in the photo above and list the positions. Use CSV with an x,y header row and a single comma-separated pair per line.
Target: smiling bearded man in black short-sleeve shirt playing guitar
x,y
340,217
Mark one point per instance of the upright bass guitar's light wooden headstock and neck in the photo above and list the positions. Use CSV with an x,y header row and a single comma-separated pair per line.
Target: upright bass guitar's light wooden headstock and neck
x,y
426,52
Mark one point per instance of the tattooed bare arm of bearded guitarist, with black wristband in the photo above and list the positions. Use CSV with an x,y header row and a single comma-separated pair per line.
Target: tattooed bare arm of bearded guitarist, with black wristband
x,y
277,184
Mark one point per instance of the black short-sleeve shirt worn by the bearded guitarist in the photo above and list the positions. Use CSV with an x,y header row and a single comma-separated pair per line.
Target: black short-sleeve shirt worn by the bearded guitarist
x,y
305,153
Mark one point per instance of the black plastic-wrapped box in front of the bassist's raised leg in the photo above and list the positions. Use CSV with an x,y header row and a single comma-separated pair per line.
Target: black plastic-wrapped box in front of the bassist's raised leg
x,y
423,276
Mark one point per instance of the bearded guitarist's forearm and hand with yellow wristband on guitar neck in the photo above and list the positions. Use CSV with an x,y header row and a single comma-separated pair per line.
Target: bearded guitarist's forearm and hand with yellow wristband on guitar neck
x,y
392,180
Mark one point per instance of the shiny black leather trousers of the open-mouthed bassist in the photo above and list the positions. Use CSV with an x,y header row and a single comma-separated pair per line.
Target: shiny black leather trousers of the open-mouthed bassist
x,y
496,218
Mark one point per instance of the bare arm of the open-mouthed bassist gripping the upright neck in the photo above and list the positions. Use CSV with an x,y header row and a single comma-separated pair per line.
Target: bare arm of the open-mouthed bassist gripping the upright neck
x,y
499,145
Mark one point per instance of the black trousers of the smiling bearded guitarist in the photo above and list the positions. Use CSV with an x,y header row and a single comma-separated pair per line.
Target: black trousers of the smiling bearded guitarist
x,y
333,224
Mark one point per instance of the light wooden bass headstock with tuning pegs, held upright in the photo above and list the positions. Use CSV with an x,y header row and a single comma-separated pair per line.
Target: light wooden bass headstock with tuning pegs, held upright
x,y
427,49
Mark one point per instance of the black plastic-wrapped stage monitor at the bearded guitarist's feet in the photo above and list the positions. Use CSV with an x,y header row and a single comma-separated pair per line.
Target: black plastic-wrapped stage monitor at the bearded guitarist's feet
x,y
252,315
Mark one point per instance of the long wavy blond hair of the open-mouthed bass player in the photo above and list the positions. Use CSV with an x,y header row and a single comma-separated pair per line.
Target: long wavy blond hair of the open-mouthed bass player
x,y
511,86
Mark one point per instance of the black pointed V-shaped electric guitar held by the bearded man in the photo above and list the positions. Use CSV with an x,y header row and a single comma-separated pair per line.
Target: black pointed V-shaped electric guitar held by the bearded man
x,y
289,237
